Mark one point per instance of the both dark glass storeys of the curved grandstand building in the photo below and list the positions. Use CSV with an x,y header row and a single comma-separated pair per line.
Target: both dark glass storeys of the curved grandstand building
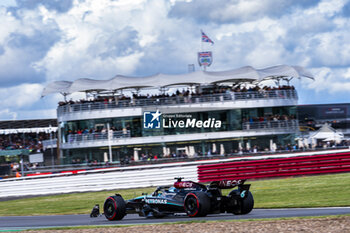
x,y
231,119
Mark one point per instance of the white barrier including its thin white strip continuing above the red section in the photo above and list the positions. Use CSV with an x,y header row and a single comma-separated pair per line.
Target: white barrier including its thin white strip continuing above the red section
x,y
120,178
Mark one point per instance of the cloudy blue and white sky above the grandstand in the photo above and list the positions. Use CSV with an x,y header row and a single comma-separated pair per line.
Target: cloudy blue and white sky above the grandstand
x,y
42,41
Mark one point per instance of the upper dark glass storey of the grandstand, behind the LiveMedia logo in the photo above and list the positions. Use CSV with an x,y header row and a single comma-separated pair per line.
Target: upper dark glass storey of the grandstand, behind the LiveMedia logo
x,y
230,120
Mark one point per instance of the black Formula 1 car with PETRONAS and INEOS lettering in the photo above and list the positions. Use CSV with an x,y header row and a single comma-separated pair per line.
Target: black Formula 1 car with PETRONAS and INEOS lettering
x,y
194,199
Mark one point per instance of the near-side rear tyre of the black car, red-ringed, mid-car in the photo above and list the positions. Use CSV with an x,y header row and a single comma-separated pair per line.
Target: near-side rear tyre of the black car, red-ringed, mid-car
x,y
197,204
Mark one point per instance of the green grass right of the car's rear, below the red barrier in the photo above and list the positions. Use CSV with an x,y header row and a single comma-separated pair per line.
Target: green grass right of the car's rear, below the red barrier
x,y
310,191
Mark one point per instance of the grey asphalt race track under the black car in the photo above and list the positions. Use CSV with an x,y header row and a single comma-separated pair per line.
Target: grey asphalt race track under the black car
x,y
31,222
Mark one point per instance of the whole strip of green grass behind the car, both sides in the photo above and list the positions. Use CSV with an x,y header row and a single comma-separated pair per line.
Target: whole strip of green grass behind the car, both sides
x,y
311,191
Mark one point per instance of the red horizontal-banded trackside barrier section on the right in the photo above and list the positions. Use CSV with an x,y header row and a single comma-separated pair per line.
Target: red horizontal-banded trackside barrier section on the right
x,y
279,167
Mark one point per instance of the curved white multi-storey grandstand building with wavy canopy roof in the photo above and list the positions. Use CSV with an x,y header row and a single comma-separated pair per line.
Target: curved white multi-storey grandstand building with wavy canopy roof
x,y
195,114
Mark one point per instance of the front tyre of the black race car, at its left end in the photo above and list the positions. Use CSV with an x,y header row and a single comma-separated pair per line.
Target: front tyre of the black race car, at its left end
x,y
114,208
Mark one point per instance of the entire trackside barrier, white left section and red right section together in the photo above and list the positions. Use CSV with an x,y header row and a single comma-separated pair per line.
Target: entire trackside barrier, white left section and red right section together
x,y
290,164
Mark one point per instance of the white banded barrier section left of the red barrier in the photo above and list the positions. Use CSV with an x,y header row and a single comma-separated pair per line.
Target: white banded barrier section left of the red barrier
x,y
121,179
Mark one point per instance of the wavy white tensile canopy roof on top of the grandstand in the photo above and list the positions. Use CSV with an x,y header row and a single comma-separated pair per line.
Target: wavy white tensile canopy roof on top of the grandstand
x,y
119,82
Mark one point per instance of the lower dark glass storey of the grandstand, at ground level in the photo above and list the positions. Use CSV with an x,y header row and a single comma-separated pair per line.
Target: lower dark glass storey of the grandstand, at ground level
x,y
201,148
